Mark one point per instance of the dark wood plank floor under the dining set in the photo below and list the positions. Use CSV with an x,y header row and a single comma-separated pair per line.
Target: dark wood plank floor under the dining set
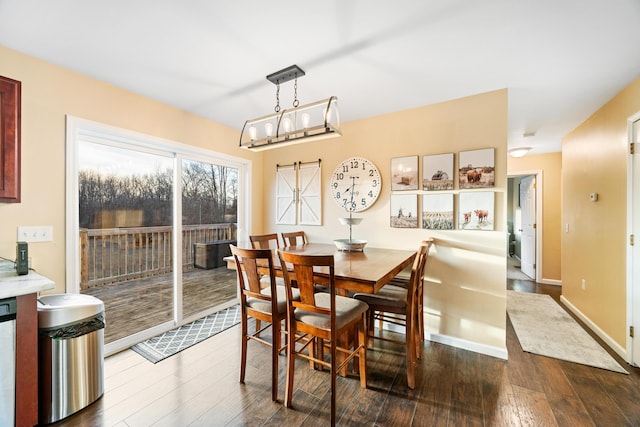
x,y
199,387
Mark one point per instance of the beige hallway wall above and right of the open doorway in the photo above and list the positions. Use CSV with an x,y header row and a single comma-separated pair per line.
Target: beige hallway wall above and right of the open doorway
x,y
550,164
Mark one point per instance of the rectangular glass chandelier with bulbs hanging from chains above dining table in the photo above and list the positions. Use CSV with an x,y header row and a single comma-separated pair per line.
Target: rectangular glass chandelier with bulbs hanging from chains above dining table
x,y
310,122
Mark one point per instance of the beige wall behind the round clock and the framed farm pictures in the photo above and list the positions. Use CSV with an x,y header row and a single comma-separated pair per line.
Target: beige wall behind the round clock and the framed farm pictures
x,y
465,295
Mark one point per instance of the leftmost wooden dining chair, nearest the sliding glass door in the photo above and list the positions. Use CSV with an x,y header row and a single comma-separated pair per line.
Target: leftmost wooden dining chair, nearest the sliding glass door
x,y
263,304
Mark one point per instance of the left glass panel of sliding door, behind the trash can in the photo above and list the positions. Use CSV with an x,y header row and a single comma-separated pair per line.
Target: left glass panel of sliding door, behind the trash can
x,y
125,218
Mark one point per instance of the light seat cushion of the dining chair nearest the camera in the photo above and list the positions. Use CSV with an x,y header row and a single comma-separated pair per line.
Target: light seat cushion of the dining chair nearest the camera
x,y
347,310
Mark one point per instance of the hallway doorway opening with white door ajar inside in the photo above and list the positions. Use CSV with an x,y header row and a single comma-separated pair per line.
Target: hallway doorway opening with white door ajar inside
x,y
524,207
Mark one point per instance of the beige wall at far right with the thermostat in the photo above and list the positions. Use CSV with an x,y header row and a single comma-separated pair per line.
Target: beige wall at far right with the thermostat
x,y
594,249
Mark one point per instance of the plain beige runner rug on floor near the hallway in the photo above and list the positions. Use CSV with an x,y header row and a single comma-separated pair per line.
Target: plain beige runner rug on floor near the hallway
x,y
544,327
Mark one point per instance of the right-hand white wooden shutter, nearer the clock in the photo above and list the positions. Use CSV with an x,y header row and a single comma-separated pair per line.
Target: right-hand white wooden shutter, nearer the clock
x,y
309,194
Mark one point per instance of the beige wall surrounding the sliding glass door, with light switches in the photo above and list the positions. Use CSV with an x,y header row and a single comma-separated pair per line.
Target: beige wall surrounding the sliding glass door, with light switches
x,y
49,93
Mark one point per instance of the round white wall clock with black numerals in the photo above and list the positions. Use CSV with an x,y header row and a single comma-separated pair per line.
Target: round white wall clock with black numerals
x,y
356,184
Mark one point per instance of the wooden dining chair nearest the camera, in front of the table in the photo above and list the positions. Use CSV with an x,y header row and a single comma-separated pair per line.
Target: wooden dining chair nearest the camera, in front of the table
x,y
319,318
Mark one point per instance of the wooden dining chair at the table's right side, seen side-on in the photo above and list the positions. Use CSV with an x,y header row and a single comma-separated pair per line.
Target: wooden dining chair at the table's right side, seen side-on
x,y
402,305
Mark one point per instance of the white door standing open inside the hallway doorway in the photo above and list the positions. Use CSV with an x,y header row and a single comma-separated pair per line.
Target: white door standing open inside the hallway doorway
x,y
528,224
